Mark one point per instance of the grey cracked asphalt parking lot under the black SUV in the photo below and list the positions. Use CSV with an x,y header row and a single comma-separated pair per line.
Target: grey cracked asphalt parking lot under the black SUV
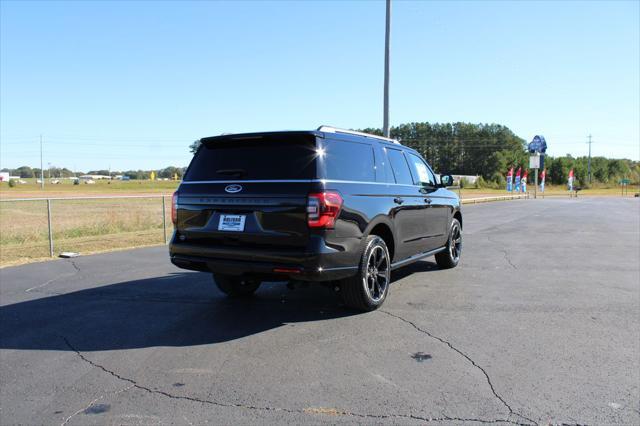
x,y
539,324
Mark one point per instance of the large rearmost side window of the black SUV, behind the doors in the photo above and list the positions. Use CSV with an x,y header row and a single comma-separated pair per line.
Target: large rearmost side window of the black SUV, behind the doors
x,y
349,161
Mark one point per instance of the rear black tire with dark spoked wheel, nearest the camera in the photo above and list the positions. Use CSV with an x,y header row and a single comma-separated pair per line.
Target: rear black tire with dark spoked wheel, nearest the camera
x,y
368,289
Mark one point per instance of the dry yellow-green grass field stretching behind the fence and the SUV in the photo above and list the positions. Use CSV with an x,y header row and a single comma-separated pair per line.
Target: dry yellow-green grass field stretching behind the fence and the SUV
x,y
95,225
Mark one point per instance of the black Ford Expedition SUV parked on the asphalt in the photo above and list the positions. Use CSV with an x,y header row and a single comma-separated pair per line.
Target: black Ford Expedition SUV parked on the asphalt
x,y
333,206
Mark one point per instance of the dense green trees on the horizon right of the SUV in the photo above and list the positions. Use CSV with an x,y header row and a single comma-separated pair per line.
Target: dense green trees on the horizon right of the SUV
x,y
490,150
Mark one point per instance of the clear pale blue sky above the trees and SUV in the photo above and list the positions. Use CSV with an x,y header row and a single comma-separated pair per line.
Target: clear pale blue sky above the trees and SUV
x,y
131,84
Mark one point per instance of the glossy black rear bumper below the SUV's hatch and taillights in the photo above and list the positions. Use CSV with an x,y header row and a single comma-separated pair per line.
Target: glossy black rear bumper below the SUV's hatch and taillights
x,y
318,262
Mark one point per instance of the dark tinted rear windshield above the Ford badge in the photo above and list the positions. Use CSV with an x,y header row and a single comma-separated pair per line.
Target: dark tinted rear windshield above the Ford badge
x,y
263,158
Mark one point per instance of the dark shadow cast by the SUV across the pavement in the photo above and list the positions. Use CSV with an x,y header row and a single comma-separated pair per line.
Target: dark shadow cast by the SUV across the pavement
x,y
179,309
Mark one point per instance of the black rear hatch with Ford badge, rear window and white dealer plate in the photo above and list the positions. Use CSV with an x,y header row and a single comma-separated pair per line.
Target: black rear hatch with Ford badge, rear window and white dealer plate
x,y
248,190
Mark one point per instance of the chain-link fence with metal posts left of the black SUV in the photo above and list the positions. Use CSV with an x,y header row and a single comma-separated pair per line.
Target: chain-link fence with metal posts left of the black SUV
x,y
34,228
